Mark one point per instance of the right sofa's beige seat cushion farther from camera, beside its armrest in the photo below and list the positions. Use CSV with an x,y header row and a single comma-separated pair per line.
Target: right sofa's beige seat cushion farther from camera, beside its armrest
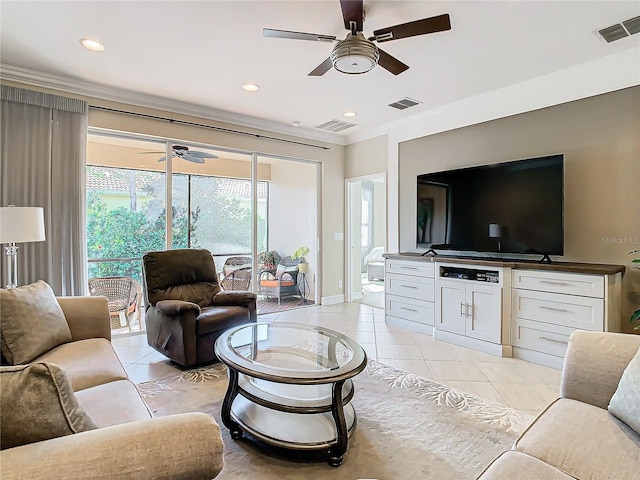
x,y
583,441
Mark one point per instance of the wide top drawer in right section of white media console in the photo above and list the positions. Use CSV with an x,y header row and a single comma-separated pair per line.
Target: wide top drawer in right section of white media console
x,y
555,282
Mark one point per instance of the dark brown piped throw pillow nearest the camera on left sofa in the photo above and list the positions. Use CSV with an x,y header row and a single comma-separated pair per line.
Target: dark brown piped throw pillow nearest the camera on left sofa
x,y
37,403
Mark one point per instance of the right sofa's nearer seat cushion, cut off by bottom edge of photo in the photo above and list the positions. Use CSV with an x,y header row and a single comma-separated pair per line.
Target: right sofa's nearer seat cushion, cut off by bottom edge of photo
x,y
512,465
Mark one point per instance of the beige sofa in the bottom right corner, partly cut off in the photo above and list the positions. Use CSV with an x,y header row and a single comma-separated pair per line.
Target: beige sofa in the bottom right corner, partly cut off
x,y
576,437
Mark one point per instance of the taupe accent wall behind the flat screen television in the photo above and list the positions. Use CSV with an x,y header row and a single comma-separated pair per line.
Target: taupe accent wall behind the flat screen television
x,y
600,139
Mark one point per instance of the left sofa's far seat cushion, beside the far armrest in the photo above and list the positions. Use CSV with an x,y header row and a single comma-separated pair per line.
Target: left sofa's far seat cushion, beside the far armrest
x,y
87,363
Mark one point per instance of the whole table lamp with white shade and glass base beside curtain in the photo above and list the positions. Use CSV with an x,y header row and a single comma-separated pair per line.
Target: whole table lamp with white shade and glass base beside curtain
x,y
19,225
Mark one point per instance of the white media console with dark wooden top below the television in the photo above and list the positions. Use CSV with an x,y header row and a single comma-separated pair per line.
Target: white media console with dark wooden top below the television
x,y
507,308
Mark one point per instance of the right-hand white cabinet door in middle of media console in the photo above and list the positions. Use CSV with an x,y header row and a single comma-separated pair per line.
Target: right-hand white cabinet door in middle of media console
x,y
484,314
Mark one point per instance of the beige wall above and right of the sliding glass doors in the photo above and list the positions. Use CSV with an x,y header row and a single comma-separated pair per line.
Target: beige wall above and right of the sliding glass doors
x,y
330,155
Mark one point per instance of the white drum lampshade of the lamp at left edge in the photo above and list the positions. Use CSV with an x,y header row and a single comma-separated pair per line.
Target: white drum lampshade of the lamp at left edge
x,y
21,224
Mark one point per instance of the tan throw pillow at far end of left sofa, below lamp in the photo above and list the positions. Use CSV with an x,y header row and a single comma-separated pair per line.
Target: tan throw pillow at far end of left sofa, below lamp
x,y
32,322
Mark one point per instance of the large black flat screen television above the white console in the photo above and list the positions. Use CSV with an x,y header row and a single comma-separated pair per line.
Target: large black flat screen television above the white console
x,y
505,208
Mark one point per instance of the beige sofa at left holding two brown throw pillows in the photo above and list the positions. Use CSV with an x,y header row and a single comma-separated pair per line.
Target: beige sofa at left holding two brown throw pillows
x,y
128,442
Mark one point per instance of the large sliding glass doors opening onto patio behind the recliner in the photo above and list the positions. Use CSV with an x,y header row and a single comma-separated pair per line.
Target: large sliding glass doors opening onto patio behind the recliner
x,y
238,205
